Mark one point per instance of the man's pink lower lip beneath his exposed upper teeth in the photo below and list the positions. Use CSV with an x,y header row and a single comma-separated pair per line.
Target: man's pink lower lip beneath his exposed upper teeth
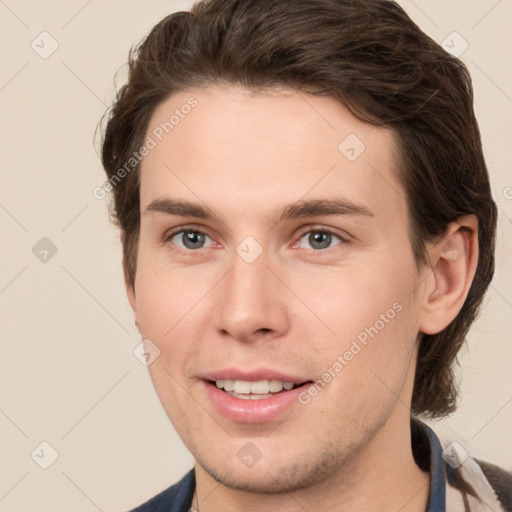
x,y
253,411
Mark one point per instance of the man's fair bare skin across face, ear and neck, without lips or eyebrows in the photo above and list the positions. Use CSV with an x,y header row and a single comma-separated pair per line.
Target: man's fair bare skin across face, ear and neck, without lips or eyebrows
x,y
296,307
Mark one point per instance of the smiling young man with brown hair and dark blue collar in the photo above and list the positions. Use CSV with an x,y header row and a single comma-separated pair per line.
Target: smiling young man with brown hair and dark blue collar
x,y
308,232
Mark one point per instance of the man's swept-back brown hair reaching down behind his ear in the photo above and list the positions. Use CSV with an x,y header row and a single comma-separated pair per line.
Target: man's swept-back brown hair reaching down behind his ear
x,y
371,57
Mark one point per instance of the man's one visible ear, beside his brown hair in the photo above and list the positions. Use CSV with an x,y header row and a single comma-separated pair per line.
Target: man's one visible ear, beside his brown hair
x,y
453,264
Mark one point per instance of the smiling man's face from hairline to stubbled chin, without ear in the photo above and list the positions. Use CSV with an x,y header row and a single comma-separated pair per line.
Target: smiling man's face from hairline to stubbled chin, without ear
x,y
274,254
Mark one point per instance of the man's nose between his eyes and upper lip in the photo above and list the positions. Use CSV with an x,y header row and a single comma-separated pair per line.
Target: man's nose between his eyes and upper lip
x,y
253,302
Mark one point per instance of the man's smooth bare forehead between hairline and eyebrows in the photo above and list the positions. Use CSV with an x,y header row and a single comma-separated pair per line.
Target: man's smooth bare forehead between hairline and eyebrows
x,y
236,149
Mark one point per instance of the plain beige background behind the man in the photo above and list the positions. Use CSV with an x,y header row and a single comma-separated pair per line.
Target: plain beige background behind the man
x,y
68,374
